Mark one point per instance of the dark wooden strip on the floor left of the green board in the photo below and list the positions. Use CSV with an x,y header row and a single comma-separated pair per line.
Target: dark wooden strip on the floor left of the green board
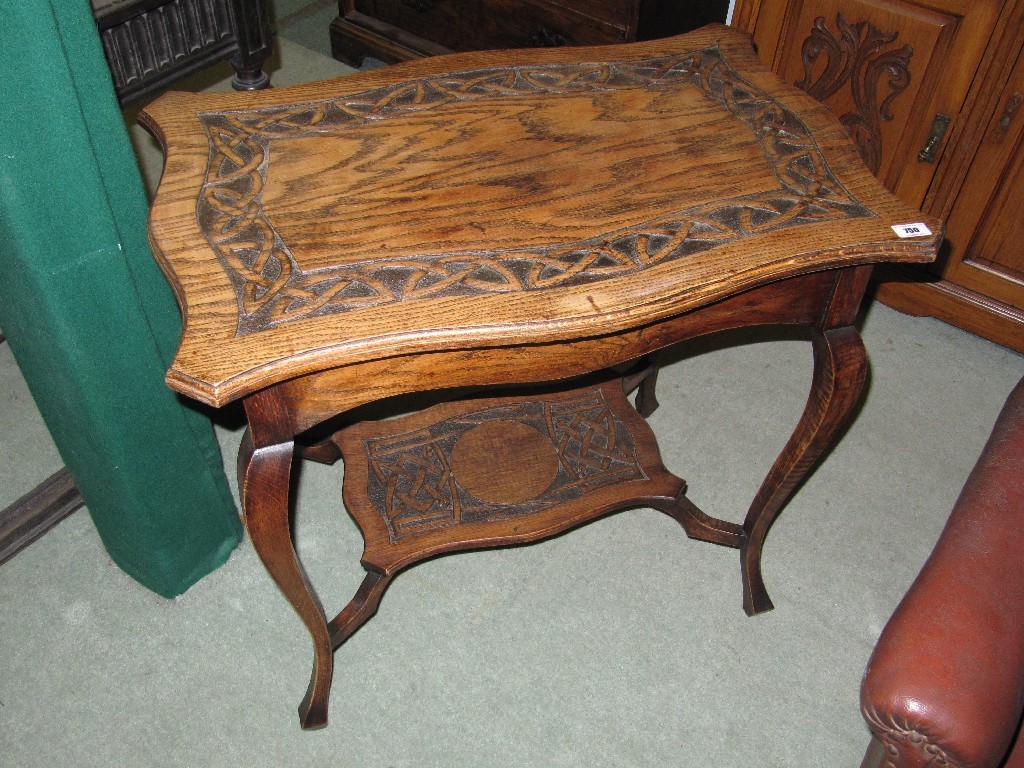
x,y
36,513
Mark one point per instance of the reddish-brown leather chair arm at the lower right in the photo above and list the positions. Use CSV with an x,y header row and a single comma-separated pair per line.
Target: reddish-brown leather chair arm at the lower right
x,y
946,685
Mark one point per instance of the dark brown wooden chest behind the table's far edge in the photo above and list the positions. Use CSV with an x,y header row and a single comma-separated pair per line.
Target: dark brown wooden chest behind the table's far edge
x,y
399,30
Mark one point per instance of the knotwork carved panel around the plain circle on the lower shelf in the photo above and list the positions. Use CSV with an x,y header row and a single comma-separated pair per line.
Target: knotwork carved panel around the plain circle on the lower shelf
x,y
414,489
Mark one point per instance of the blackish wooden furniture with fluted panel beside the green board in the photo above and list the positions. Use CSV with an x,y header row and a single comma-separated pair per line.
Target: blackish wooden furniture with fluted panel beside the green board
x,y
150,45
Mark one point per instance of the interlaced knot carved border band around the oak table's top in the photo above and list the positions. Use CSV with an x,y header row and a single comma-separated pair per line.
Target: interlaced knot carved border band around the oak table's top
x,y
273,289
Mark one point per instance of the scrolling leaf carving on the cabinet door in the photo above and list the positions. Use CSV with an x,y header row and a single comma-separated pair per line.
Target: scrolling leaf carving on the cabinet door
x,y
857,57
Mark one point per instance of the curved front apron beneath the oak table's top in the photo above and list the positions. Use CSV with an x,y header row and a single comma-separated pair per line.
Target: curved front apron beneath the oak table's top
x,y
823,301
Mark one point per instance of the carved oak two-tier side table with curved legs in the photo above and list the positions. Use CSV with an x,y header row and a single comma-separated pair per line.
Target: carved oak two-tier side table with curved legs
x,y
548,220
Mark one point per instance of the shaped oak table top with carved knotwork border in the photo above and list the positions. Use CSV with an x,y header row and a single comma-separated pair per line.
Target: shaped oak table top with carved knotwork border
x,y
497,199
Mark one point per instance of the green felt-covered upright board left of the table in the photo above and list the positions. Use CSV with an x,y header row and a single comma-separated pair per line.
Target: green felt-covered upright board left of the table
x,y
90,318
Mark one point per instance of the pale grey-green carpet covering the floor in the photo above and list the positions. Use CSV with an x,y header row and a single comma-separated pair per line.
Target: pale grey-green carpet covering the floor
x,y
620,645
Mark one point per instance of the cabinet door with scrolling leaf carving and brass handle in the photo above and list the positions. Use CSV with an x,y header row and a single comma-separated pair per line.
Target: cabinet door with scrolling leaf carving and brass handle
x,y
895,72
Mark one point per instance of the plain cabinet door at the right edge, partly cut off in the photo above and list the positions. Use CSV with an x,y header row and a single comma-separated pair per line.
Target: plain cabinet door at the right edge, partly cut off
x,y
986,229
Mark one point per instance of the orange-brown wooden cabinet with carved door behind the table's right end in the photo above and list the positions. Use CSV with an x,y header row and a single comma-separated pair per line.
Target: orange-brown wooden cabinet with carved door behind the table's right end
x,y
932,93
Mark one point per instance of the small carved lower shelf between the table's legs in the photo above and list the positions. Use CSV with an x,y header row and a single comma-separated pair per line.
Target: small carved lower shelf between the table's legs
x,y
506,471
